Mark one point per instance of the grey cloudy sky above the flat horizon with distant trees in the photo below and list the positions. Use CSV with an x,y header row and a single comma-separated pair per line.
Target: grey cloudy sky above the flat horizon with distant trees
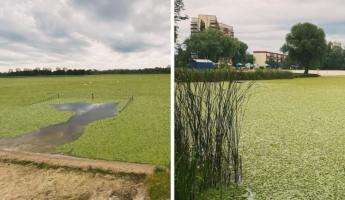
x,y
84,33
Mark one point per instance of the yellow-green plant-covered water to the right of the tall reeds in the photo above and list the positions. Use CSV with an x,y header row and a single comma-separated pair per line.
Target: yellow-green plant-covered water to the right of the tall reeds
x,y
293,139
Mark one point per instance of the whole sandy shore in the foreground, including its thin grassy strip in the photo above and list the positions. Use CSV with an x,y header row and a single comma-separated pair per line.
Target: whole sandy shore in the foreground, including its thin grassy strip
x,y
45,176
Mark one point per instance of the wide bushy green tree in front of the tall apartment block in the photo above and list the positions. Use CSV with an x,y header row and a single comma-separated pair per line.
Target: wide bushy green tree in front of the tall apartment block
x,y
212,44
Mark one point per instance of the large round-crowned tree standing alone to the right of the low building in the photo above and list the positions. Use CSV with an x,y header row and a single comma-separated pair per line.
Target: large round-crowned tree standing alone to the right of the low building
x,y
305,44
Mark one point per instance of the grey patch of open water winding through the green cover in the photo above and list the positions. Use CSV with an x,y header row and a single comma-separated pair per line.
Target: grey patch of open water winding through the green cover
x,y
46,139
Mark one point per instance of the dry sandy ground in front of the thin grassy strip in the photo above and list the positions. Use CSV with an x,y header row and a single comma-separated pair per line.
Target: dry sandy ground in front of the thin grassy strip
x,y
28,182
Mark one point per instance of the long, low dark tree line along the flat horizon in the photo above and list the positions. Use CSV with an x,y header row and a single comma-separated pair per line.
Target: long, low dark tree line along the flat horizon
x,y
47,72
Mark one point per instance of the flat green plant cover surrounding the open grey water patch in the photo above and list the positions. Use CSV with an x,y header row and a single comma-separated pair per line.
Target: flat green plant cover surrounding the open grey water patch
x,y
140,133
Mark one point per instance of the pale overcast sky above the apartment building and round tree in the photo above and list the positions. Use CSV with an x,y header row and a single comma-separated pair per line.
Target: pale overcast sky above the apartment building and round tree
x,y
263,24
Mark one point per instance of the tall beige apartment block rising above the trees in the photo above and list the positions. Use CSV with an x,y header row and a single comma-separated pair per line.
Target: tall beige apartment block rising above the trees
x,y
210,21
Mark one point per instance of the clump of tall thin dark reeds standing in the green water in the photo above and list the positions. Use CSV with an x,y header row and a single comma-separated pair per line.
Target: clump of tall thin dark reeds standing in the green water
x,y
208,118
